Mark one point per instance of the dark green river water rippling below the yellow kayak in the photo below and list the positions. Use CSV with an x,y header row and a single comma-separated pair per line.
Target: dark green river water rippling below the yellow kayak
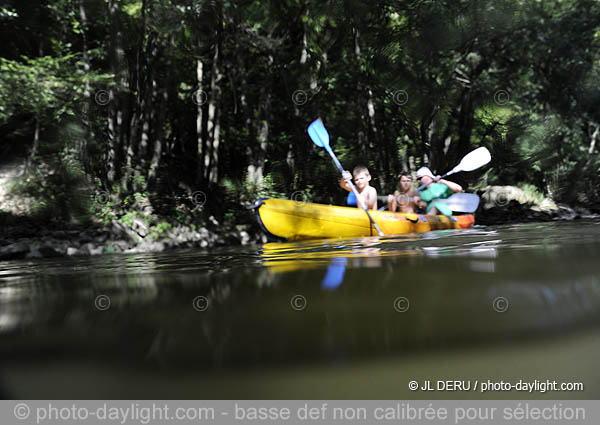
x,y
493,303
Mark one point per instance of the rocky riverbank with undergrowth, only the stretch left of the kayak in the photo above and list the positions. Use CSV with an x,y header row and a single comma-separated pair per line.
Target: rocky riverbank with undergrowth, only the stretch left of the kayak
x,y
101,223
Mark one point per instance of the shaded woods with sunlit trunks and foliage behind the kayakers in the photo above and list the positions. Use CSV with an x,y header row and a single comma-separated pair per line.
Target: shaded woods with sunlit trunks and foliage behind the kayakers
x,y
185,109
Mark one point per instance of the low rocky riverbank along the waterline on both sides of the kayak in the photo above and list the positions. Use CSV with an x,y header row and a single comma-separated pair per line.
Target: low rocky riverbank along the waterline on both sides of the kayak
x,y
24,238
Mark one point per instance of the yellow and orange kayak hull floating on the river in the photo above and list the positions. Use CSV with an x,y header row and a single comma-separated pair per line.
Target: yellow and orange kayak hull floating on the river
x,y
293,220
